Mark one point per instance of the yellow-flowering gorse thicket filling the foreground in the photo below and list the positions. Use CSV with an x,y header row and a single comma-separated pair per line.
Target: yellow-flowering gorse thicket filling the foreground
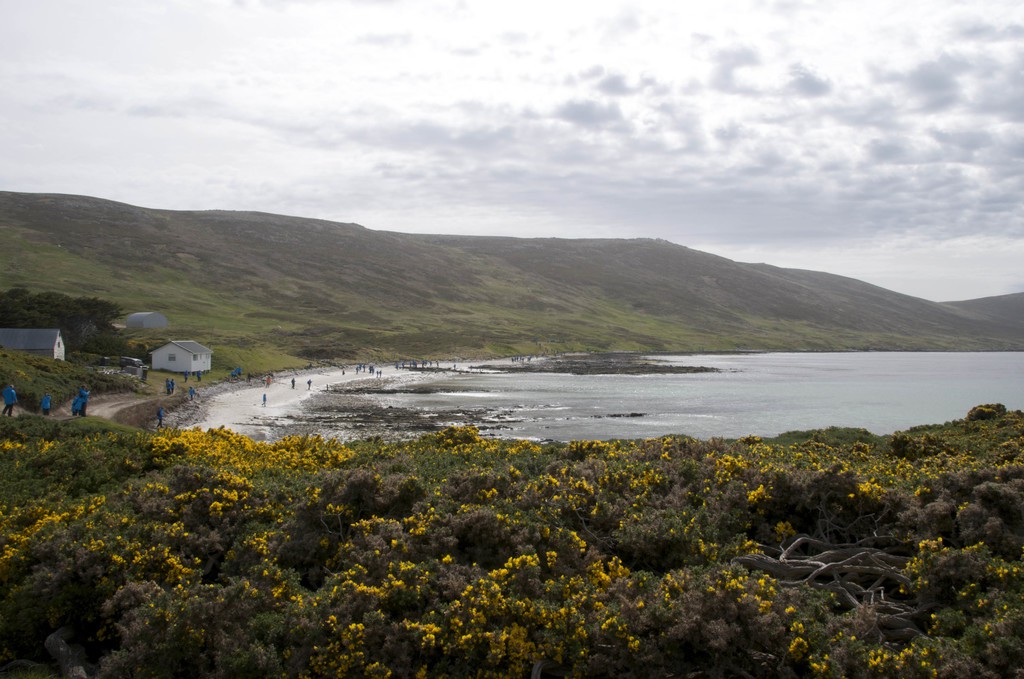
x,y
831,555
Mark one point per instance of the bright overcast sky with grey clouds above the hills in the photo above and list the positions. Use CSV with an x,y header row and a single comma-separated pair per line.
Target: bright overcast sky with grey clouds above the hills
x,y
877,140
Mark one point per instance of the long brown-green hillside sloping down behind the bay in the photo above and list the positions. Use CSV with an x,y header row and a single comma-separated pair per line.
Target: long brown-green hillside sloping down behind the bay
x,y
331,289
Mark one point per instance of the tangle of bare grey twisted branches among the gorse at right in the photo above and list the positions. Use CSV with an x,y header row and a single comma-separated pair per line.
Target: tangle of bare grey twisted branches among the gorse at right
x,y
864,576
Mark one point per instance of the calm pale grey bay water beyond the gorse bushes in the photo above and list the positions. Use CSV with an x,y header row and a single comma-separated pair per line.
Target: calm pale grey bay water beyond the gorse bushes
x,y
758,394
